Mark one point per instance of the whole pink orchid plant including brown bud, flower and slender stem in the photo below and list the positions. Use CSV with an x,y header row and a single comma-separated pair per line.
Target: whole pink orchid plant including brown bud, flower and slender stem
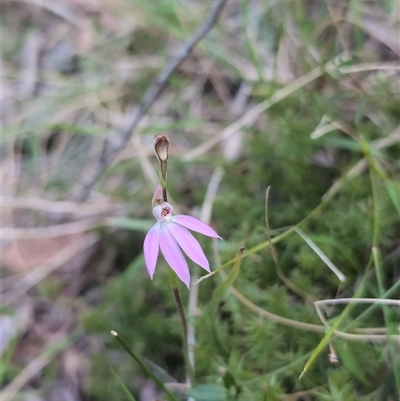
x,y
171,234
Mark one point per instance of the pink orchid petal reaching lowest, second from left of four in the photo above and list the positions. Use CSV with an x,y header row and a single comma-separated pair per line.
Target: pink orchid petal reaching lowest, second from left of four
x,y
173,254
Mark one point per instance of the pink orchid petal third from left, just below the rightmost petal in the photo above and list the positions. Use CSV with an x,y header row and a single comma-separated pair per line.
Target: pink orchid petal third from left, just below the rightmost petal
x,y
189,244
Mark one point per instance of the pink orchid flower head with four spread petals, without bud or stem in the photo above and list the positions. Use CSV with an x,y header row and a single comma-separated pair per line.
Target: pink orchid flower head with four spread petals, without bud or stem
x,y
171,234
